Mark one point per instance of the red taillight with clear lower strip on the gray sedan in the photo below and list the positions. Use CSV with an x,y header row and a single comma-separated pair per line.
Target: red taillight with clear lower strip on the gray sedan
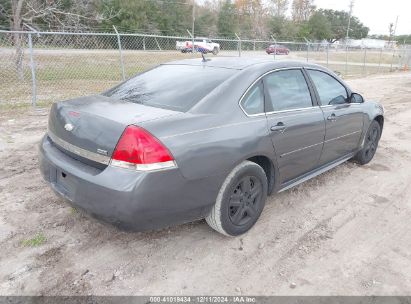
x,y
139,150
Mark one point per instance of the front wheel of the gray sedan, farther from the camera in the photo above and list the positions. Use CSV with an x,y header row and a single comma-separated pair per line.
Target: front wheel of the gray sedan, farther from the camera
x,y
366,154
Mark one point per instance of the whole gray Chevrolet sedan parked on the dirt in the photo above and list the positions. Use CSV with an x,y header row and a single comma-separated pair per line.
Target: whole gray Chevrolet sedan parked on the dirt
x,y
191,139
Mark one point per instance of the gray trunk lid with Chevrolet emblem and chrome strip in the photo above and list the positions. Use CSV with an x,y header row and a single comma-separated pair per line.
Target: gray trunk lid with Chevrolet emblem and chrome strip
x,y
91,126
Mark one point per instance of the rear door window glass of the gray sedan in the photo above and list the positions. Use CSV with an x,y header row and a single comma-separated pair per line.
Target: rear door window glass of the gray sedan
x,y
287,90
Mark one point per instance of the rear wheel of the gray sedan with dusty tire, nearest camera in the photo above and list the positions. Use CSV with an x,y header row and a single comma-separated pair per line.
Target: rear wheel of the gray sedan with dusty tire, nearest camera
x,y
240,200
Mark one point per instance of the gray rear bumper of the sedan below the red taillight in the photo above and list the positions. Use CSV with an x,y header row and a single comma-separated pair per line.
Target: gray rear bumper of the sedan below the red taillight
x,y
129,199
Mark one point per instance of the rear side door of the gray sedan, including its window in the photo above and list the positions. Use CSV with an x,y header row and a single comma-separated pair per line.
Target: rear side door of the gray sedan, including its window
x,y
295,122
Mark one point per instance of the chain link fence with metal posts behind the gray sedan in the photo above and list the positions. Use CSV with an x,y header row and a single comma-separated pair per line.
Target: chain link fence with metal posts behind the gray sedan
x,y
42,67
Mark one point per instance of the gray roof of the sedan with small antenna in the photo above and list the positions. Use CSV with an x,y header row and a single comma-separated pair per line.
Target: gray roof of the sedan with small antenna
x,y
241,63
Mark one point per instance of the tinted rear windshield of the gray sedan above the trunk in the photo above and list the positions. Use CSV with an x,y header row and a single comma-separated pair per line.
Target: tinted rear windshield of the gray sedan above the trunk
x,y
175,87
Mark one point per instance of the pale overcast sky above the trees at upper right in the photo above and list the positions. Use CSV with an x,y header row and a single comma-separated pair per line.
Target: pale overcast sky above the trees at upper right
x,y
376,14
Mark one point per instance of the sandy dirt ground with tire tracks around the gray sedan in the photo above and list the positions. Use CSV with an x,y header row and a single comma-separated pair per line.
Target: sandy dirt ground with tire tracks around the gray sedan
x,y
345,232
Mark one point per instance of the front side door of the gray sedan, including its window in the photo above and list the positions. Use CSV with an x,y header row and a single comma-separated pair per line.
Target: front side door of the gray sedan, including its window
x,y
344,120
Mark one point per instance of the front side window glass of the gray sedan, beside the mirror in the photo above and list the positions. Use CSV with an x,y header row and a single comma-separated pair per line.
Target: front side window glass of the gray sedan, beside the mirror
x,y
330,91
